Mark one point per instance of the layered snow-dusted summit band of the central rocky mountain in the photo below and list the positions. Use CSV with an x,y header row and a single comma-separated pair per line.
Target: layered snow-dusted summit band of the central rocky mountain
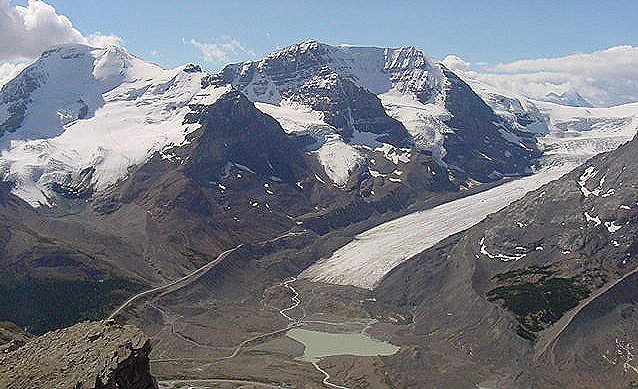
x,y
374,68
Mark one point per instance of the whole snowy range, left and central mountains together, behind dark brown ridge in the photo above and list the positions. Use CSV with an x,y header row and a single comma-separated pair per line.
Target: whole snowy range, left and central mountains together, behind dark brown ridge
x,y
379,121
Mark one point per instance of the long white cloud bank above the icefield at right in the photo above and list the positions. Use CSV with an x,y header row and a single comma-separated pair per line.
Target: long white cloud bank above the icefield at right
x,y
603,78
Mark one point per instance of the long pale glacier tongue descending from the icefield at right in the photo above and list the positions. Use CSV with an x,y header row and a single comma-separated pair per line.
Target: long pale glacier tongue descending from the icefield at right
x,y
576,134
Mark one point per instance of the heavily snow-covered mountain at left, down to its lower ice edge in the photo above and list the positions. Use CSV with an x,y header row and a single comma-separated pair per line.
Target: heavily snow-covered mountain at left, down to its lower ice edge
x,y
78,118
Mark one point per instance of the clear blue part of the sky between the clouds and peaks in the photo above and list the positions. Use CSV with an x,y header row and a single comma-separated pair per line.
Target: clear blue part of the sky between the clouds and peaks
x,y
477,31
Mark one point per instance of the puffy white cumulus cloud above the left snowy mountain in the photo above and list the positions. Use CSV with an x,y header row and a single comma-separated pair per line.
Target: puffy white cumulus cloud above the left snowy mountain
x,y
26,31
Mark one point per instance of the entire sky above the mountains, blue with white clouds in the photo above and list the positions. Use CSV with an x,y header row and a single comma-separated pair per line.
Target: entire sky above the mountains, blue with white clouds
x,y
526,47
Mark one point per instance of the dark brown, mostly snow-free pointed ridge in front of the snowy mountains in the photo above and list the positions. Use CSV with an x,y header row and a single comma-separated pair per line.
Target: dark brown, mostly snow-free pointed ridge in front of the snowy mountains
x,y
237,178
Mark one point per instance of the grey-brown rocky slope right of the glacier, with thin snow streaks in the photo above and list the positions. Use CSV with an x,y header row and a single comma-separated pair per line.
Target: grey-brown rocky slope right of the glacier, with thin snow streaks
x,y
546,282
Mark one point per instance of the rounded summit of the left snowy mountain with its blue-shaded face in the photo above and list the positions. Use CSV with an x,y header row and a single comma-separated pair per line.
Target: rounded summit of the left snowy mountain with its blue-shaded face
x,y
66,83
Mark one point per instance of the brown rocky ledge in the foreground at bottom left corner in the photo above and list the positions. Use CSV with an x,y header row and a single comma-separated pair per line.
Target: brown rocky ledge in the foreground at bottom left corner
x,y
88,355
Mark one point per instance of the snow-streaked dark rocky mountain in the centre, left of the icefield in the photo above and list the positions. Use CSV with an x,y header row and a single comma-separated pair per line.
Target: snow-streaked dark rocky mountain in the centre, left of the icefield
x,y
356,92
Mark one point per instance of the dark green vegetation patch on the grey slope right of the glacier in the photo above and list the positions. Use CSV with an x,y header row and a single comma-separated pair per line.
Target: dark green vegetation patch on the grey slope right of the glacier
x,y
536,297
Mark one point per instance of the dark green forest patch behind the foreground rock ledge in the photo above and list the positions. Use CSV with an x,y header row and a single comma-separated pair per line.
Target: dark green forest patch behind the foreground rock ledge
x,y
46,304
